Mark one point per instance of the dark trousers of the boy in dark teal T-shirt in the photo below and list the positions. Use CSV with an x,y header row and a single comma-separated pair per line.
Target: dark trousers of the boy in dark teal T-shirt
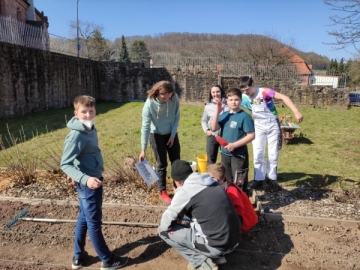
x,y
233,164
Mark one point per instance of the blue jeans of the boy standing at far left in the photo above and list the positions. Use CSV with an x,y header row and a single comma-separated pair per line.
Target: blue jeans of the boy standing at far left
x,y
89,219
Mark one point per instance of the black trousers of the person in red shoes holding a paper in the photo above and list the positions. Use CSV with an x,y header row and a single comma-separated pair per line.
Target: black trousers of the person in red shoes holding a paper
x,y
161,150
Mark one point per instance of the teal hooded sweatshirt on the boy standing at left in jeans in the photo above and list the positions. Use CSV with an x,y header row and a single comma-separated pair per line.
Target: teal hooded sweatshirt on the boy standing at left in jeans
x,y
81,158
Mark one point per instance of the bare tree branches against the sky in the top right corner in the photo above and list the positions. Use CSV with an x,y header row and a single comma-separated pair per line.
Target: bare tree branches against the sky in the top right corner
x,y
349,23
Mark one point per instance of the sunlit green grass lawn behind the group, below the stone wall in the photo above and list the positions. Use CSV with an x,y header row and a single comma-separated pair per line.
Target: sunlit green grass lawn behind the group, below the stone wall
x,y
324,153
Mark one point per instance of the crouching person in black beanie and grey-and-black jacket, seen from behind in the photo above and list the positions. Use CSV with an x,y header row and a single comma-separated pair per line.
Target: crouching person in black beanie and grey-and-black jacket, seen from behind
x,y
214,225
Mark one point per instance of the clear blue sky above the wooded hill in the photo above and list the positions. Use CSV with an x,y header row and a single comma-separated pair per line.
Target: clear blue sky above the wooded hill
x,y
301,23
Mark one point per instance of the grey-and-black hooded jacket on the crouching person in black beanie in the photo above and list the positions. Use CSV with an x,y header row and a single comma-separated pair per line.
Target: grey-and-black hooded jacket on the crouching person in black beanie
x,y
209,208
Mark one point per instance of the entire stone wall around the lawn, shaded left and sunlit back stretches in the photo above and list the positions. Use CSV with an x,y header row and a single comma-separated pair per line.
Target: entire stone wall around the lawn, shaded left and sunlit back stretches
x,y
35,80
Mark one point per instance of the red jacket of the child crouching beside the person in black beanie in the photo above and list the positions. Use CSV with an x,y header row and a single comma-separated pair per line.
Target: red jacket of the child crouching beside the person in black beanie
x,y
247,212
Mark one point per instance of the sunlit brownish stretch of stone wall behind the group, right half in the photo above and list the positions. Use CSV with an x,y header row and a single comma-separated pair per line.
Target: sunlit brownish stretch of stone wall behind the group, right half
x,y
195,87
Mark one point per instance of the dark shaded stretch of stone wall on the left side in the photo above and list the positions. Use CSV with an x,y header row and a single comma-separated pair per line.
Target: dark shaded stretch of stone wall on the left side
x,y
35,80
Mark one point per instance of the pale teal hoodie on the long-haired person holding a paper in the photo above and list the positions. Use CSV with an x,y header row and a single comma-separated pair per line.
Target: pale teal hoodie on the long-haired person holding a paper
x,y
159,118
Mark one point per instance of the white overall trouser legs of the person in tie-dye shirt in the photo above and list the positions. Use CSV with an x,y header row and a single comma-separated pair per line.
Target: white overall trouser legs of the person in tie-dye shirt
x,y
266,130
